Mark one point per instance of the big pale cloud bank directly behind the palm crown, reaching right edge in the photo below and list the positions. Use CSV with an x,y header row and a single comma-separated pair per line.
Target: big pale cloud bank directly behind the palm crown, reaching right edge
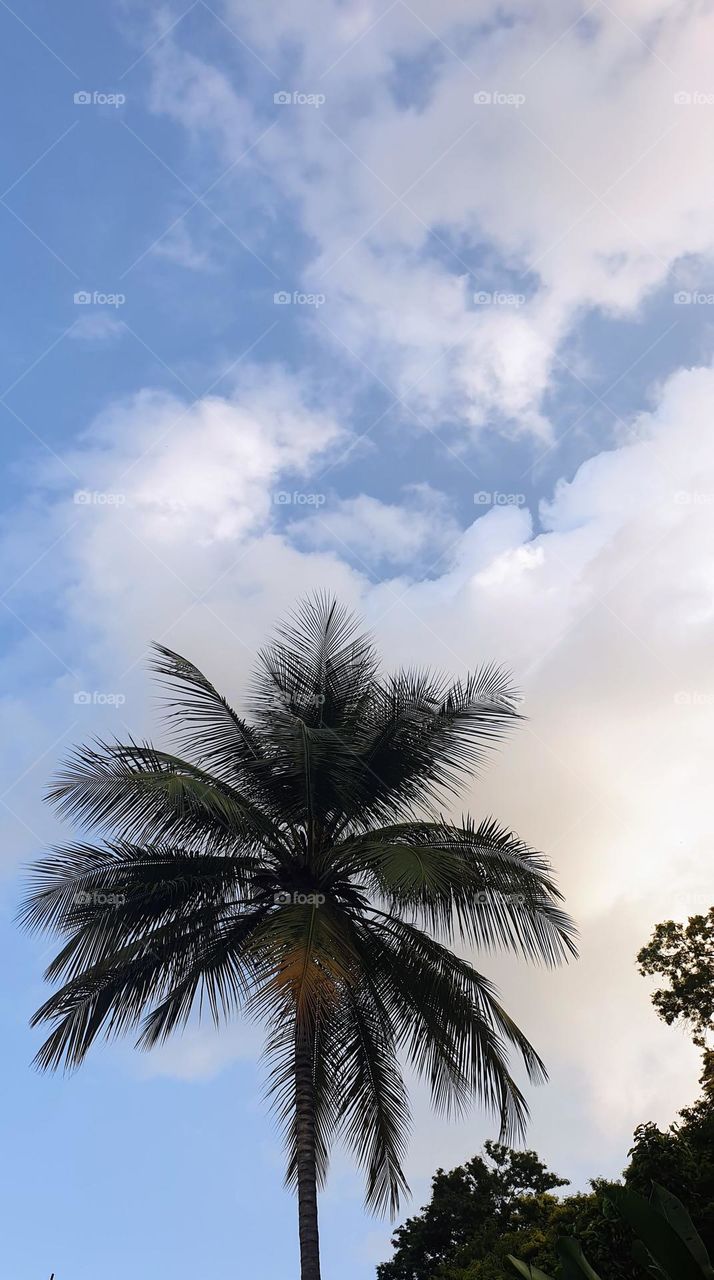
x,y
605,616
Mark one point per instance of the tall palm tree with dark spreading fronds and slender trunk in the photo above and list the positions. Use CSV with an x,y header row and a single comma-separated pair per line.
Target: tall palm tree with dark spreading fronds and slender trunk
x,y
294,866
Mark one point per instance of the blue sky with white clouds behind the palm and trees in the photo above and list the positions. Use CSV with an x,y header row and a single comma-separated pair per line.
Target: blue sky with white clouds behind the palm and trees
x,y
413,301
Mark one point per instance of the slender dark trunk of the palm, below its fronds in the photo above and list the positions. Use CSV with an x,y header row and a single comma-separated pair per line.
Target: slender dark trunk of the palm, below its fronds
x,y
306,1164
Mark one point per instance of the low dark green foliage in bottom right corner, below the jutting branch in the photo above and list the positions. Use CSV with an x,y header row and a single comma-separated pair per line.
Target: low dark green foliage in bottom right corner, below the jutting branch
x,y
477,1220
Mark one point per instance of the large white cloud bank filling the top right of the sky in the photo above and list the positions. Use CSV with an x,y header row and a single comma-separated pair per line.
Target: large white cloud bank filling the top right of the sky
x,y
416,203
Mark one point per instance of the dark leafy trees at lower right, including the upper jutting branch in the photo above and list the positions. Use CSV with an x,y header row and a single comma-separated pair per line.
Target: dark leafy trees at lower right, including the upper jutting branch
x,y
469,1231
